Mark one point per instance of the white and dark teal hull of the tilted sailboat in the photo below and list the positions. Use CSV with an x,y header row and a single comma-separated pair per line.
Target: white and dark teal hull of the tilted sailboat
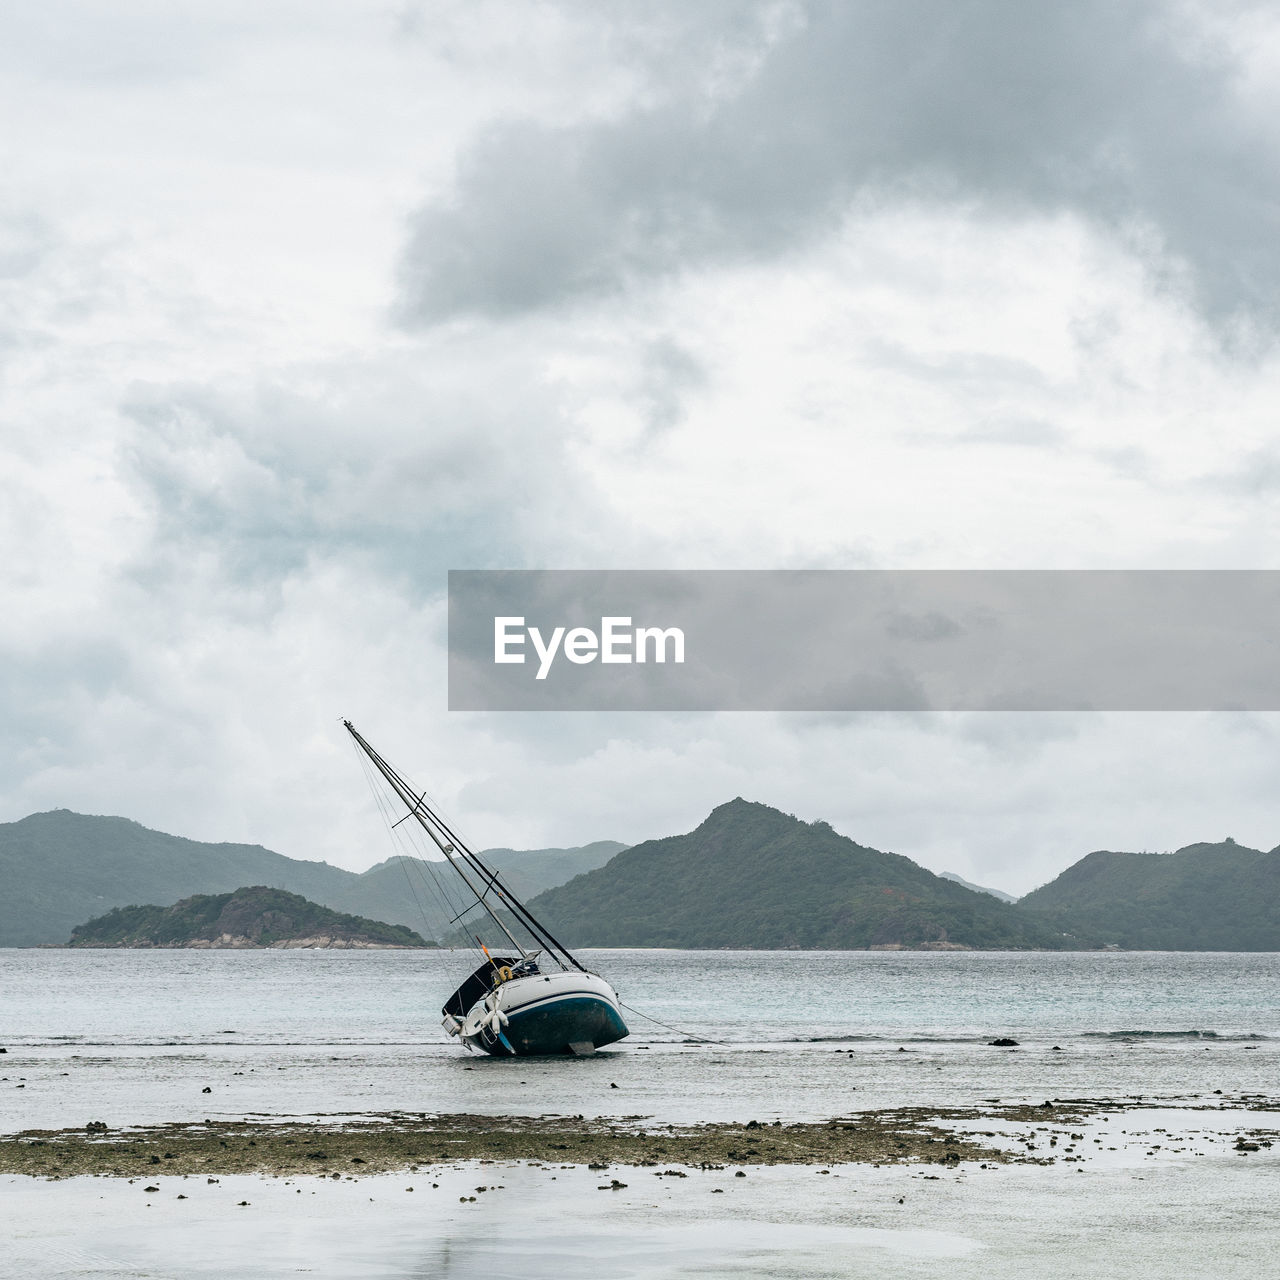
x,y
547,1016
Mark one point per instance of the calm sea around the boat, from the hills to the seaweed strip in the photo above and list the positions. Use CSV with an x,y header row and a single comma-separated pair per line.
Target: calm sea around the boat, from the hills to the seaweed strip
x,y
138,1036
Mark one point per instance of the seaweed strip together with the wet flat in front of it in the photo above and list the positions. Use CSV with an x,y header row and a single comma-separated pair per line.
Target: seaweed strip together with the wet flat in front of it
x,y
1104,1190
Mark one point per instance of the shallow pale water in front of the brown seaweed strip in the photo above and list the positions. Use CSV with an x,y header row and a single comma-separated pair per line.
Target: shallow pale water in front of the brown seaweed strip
x,y
1212,1219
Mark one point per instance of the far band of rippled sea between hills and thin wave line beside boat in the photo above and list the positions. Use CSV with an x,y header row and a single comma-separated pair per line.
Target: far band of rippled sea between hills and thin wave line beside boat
x,y
740,996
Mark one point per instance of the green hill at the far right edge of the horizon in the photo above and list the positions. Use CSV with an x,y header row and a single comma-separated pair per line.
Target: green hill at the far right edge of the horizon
x,y
1203,898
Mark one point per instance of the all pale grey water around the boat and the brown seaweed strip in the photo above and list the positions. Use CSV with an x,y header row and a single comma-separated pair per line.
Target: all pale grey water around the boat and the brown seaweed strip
x,y
144,1037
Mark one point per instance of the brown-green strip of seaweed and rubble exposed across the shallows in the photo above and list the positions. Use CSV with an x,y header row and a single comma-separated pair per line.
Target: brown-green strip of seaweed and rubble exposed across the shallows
x,y
392,1142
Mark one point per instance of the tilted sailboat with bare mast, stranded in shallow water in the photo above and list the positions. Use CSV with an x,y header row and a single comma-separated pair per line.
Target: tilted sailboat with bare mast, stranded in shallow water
x,y
533,999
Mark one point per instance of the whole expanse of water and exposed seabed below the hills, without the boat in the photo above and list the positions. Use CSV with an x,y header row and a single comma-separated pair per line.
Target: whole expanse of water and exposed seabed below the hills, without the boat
x,y
280,1113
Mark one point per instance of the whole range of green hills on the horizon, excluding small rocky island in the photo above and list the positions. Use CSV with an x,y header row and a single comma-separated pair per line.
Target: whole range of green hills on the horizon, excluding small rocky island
x,y
748,877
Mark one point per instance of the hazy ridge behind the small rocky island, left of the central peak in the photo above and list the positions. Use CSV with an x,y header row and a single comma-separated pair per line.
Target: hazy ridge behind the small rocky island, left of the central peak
x,y
61,868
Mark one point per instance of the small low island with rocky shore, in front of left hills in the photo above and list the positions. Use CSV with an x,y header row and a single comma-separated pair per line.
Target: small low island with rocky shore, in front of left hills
x,y
254,917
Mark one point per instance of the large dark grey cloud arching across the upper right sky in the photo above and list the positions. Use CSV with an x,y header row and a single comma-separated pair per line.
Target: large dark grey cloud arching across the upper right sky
x,y
1092,108
